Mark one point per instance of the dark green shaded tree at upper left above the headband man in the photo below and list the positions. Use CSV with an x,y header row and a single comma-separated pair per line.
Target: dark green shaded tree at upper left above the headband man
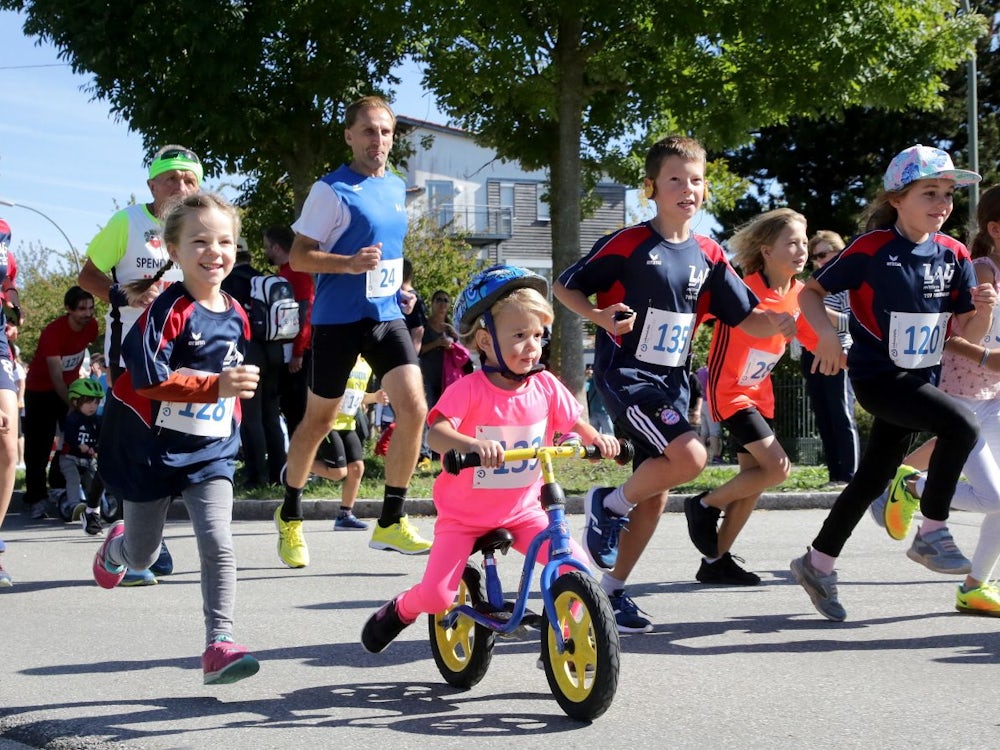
x,y
256,88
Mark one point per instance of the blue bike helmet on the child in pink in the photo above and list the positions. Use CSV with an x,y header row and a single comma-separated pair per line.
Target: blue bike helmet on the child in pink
x,y
484,290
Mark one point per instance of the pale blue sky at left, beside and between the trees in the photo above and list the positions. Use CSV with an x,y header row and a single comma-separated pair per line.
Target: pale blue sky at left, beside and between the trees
x,y
65,155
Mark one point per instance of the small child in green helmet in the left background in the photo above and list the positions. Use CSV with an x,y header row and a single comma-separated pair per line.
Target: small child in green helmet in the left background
x,y
78,459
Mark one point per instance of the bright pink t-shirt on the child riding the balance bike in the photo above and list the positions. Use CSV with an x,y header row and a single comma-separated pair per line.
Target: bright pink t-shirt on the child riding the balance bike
x,y
522,418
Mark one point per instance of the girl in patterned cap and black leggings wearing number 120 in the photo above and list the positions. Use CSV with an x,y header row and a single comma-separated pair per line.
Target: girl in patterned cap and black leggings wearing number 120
x,y
908,282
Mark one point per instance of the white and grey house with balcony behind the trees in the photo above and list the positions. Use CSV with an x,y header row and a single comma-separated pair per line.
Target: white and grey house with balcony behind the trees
x,y
496,205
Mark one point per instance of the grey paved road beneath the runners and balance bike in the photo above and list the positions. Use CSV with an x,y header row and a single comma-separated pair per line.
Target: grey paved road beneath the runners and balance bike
x,y
723,668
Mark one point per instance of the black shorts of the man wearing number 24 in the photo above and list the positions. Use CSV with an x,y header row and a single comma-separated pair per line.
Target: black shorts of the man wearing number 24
x,y
335,349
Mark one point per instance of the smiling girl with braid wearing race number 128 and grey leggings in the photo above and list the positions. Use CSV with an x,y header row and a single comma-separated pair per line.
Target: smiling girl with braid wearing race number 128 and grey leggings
x,y
176,413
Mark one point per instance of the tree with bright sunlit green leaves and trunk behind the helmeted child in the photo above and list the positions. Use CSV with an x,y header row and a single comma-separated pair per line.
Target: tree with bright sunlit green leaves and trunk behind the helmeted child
x,y
573,86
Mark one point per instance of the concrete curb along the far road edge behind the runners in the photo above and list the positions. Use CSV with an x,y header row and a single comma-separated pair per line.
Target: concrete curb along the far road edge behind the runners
x,y
263,510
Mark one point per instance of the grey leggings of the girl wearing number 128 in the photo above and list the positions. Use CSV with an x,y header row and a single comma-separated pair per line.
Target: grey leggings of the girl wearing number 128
x,y
210,507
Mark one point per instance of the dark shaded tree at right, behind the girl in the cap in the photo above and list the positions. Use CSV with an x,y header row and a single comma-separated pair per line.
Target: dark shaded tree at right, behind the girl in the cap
x,y
830,167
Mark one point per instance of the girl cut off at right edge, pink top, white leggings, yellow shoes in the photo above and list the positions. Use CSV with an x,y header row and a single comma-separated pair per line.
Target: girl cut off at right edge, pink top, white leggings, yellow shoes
x,y
969,373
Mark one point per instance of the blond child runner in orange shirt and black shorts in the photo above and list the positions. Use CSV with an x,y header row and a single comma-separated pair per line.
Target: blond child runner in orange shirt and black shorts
x,y
771,250
